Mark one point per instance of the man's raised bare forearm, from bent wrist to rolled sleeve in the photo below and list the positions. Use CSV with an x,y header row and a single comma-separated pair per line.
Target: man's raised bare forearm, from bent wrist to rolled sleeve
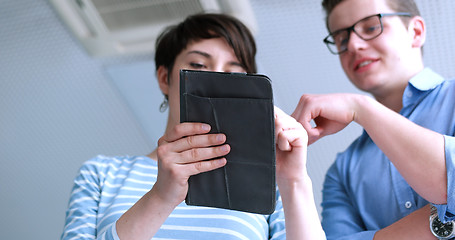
x,y
416,152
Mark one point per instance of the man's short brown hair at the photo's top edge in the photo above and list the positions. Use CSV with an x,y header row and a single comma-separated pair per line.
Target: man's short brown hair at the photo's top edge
x,y
396,5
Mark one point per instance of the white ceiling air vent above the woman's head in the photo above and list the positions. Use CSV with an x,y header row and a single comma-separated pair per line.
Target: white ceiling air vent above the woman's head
x,y
113,27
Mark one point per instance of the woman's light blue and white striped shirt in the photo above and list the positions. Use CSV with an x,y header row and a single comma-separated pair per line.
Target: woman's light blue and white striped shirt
x,y
106,187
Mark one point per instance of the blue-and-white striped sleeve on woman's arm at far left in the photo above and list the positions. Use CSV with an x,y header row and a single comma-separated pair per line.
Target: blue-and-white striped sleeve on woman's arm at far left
x,y
80,222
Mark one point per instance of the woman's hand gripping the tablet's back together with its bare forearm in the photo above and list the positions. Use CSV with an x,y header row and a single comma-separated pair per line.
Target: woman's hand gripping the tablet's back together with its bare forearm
x,y
182,152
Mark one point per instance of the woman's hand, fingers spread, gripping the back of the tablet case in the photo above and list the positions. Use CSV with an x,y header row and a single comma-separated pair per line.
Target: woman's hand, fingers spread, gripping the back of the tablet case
x,y
184,151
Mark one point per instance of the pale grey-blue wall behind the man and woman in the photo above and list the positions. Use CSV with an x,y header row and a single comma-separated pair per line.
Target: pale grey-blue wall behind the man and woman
x,y
60,107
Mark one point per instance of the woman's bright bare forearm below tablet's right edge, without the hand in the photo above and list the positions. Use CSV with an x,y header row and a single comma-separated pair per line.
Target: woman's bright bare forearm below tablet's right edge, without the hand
x,y
301,216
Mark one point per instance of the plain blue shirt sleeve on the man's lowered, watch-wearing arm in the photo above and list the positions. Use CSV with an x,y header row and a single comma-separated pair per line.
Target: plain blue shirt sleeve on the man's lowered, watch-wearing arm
x,y
340,219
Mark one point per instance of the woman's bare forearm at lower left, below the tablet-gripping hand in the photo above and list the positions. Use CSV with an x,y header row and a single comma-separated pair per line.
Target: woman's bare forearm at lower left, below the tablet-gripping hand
x,y
144,218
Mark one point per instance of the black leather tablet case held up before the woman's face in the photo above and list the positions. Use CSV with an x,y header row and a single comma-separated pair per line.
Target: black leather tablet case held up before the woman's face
x,y
240,106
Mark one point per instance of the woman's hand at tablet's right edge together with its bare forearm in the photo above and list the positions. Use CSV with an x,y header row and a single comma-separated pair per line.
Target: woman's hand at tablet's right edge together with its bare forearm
x,y
302,219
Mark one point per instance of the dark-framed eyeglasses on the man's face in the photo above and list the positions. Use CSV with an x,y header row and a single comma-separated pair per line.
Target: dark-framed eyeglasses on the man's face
x,y
367,28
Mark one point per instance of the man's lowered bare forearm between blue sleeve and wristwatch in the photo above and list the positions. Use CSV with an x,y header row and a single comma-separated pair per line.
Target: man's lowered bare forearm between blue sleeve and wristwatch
x,y
414,226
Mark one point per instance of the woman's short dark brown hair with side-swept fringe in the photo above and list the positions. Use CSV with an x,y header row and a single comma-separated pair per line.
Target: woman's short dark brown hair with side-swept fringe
x,y
174,39
